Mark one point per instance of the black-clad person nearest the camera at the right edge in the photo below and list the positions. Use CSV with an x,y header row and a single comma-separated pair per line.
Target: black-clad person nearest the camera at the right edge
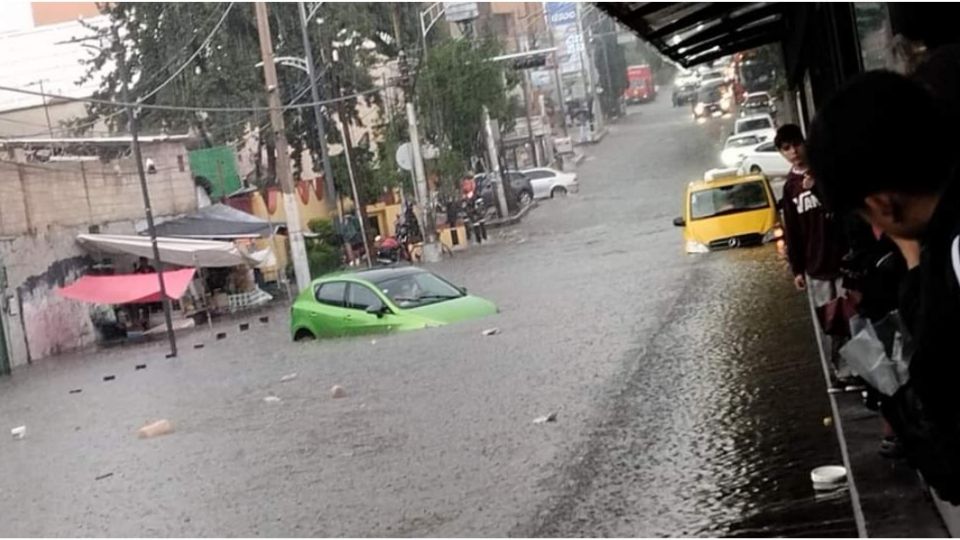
x,y
884,148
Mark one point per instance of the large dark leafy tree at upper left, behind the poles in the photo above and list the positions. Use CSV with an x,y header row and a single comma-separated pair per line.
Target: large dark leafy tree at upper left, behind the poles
x,y
206,54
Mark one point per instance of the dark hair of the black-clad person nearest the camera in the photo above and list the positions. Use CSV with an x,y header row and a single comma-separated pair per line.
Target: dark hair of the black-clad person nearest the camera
x,y
880,132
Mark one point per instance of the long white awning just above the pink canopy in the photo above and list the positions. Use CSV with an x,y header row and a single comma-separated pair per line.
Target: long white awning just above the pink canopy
x,y
178,251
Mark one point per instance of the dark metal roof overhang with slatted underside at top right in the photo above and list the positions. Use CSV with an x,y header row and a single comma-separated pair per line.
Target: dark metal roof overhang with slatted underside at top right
x,y
698,32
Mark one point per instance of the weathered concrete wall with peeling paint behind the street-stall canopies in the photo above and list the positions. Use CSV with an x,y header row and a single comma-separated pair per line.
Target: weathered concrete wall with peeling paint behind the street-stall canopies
x,y
42,210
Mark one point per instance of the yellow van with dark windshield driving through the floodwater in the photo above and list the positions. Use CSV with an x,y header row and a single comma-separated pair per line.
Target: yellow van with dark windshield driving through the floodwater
x,y
728,211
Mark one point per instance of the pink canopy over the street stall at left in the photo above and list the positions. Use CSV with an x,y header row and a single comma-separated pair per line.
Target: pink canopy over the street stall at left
x,y
128,288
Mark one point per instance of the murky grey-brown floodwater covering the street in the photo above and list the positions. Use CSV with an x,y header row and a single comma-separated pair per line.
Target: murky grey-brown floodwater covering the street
x,y
688,396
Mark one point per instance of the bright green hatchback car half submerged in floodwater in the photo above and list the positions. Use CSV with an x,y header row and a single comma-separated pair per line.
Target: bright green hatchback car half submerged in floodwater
x,y
381,300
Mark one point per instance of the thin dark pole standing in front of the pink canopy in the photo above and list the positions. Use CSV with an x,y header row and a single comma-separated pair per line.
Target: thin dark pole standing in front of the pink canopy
x,y
148,209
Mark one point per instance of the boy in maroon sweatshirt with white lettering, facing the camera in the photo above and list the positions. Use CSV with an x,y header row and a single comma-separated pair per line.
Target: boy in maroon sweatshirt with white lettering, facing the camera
x,y
814,238
